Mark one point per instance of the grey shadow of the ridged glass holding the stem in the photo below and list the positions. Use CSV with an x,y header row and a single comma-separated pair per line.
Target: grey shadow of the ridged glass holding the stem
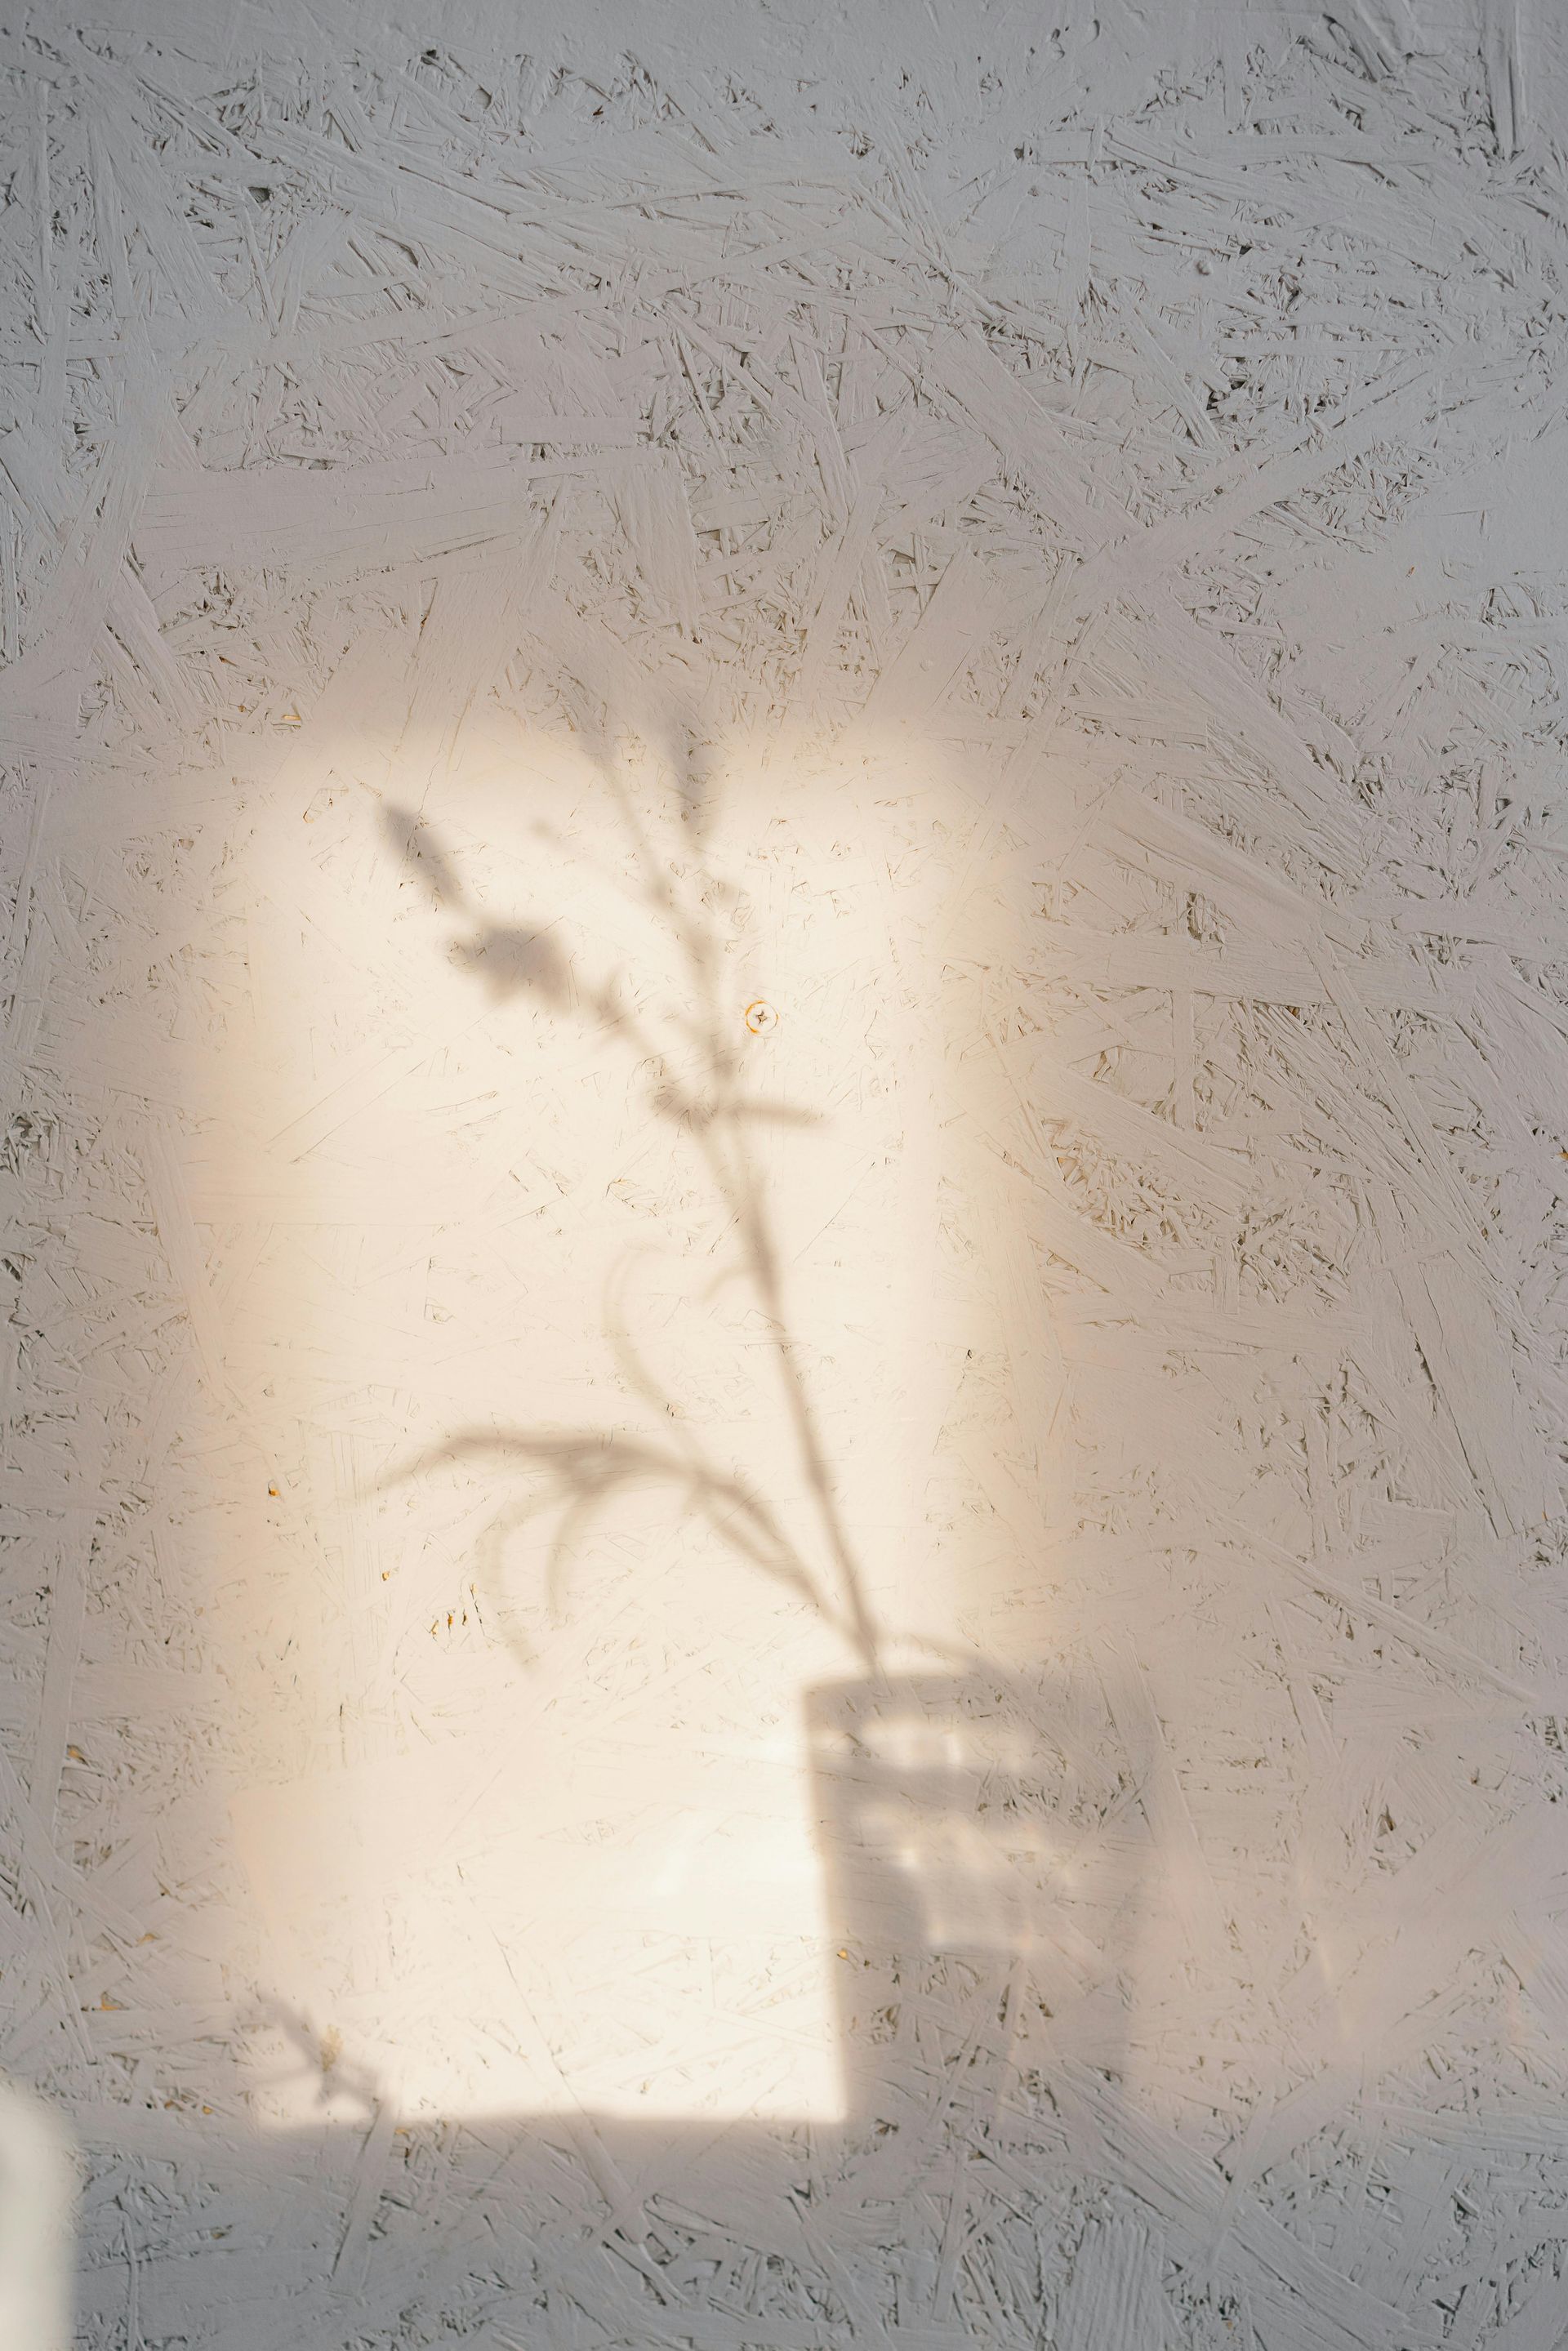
x,y
977,1880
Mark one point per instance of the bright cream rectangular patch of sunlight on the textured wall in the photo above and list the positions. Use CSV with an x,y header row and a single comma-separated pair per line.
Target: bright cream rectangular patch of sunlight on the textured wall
x,y
605,1341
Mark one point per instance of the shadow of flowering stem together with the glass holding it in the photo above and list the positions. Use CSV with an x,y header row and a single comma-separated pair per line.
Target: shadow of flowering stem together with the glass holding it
x,y
965,1816
